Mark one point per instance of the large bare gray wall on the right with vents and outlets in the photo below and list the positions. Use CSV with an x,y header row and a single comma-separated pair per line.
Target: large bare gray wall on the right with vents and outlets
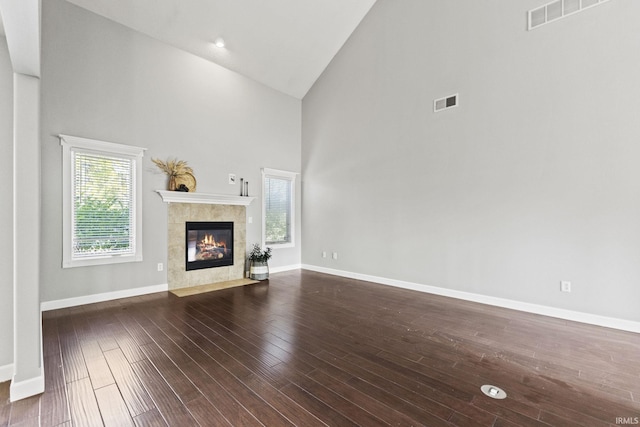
x,y
533,179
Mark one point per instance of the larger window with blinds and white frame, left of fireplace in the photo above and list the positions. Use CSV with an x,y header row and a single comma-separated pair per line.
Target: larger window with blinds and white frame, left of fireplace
x,y
102,202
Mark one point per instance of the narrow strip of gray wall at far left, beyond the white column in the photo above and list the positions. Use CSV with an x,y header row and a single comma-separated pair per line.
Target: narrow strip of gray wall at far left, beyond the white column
x,y
6,209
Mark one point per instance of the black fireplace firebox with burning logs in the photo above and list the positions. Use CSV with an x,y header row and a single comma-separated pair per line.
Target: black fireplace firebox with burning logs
x,y
209,244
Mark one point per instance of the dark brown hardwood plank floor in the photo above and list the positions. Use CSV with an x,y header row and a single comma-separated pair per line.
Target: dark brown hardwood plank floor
x,y
309,349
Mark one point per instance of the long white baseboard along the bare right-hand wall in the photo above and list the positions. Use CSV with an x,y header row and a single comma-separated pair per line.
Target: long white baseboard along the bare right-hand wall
x,y
576,316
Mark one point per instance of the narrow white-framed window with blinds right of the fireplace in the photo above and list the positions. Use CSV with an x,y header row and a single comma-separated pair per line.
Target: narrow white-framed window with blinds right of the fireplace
x,y
278,207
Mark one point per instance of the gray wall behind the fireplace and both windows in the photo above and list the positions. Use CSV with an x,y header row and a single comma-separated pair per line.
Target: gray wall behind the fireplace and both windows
x,y
103,81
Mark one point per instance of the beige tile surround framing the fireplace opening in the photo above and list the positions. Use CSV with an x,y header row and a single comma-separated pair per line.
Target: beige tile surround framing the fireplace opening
x,y
178,214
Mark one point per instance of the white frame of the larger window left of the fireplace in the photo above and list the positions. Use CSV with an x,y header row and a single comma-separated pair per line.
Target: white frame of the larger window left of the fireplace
x,y
72,145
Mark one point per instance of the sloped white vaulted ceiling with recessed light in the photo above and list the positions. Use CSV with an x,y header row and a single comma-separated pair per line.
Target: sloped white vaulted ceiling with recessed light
x,y
285,44
